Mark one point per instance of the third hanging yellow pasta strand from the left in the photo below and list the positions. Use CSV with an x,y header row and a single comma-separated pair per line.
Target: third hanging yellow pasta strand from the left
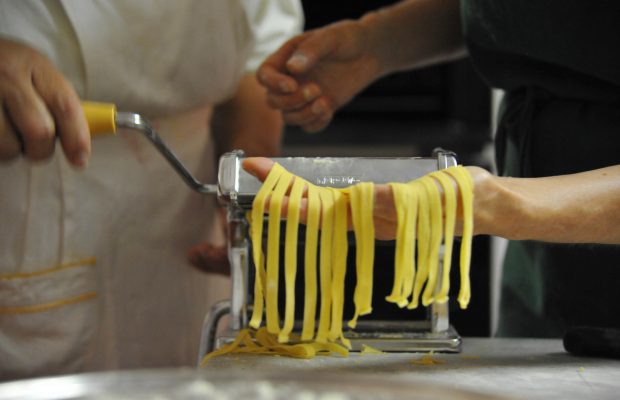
x,y
290,257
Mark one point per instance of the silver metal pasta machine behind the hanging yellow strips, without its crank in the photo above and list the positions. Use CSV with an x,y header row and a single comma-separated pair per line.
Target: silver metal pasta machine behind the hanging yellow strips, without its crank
x,y
237,189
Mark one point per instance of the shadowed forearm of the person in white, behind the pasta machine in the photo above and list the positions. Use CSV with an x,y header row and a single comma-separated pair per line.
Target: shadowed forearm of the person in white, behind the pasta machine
x,y
246,122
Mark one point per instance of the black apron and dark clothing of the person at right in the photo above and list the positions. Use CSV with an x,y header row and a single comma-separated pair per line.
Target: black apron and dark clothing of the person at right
x,y
559,63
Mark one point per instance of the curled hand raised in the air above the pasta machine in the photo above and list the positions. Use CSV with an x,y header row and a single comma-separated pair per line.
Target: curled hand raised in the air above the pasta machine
x,y
314,74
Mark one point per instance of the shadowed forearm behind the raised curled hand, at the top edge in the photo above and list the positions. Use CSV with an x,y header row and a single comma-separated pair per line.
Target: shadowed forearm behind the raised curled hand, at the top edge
x,y
415,33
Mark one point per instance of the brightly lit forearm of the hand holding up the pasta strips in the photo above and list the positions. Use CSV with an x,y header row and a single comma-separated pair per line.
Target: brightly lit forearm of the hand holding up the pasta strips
x,y
575,208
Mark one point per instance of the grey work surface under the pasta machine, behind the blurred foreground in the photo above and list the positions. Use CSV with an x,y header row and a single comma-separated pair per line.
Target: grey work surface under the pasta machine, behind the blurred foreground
x,y
513,368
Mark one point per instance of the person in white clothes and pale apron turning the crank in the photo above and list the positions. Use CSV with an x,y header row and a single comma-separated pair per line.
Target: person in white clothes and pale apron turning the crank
x,y
94,237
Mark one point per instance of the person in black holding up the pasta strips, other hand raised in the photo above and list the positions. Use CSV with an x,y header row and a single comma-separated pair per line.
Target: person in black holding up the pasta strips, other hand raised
x,y
557,144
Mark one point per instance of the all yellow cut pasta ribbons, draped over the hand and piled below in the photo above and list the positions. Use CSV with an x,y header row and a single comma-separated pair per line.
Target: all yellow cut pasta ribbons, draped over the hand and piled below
x,y
426,214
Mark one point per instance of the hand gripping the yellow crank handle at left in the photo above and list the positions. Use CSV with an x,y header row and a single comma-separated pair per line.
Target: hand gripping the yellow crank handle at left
x,y
38,105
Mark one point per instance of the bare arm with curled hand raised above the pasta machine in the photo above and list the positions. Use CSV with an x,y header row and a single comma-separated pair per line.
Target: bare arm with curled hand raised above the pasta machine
x,y
313,75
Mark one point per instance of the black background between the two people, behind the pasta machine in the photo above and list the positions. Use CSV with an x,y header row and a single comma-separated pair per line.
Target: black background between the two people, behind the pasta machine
x,y
410,114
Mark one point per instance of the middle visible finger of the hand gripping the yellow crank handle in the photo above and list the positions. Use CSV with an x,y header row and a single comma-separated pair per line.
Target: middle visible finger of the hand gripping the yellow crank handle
x,y
32,120
